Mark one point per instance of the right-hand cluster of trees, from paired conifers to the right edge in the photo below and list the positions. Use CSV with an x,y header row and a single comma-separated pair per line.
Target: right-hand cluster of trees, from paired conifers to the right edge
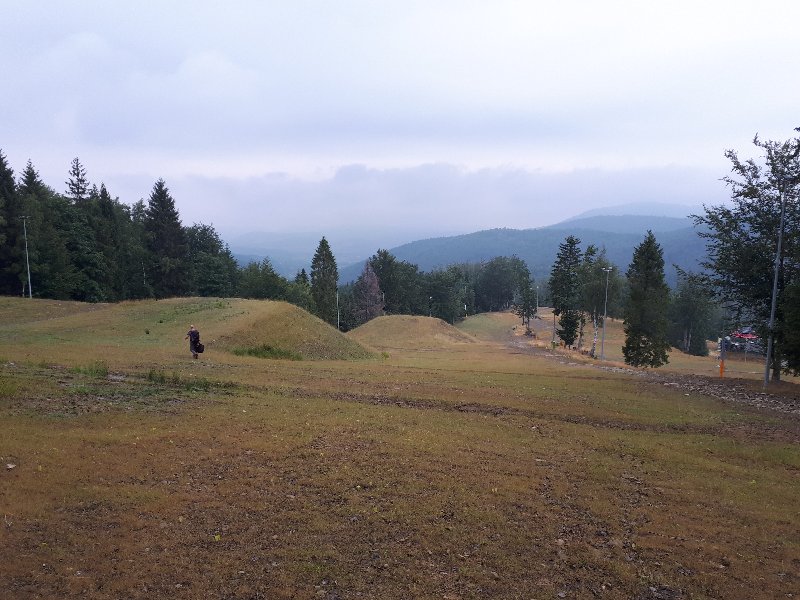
x,y
751,273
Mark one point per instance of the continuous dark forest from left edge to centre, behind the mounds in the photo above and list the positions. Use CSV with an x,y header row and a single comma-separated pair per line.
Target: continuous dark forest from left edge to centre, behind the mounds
x,y
83,244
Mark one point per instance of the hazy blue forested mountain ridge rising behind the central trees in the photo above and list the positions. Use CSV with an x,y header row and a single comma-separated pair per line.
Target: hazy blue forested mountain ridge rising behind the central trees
x,y
618,229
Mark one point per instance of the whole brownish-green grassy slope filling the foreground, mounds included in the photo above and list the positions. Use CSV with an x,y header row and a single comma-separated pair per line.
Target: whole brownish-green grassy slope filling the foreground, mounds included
x,y
405,459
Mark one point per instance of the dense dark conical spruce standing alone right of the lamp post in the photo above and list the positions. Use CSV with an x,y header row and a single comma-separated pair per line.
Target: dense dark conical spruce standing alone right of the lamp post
x,y
646,312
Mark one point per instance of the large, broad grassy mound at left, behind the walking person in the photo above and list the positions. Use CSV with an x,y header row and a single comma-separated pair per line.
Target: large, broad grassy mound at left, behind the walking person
x,y
154,330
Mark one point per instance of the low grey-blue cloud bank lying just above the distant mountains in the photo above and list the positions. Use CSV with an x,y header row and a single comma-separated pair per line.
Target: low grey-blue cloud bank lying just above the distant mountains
x,y
430,200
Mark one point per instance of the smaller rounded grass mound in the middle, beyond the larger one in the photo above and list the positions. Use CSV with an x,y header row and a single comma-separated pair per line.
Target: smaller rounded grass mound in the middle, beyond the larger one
x,y
410,333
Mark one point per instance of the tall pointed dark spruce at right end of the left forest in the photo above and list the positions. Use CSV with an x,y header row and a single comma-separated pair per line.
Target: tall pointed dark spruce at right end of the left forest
x,y
166,242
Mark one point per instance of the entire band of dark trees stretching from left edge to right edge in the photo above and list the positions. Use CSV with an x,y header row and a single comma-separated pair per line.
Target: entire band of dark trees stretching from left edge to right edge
x,y
86,245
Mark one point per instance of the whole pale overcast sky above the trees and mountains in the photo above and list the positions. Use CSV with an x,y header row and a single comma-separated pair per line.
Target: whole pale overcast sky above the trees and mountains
x,y
426,117
